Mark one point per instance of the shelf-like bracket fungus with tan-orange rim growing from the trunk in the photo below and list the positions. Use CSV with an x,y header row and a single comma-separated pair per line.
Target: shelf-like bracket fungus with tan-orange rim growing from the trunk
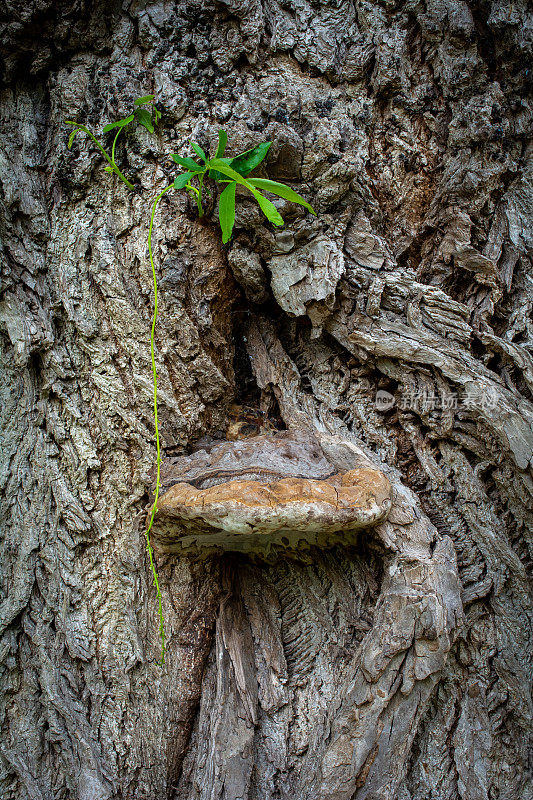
x,y
264,495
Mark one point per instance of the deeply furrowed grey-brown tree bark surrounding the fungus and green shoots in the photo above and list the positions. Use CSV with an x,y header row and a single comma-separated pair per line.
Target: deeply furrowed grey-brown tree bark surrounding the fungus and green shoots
x,y
399,669
